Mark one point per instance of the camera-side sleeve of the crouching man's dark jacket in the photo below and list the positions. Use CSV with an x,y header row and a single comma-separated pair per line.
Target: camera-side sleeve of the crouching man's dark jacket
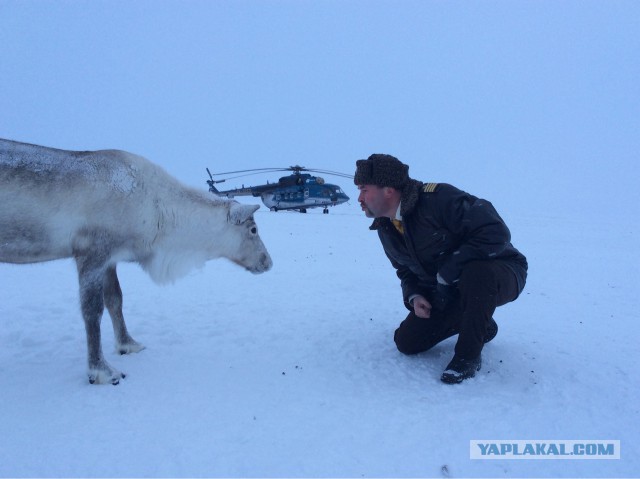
x,y
481,232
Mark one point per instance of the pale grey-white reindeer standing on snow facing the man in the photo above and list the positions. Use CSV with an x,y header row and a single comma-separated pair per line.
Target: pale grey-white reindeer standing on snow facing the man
x,y
103,207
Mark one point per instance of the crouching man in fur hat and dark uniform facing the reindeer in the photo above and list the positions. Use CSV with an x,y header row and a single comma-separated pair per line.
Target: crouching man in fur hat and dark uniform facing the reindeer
x,y
453,255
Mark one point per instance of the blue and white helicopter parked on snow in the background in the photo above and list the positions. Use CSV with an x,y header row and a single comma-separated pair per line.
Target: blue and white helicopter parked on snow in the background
x,y
299,191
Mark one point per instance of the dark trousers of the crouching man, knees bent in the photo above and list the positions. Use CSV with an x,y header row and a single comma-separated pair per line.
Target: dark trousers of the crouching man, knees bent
x,y
483,286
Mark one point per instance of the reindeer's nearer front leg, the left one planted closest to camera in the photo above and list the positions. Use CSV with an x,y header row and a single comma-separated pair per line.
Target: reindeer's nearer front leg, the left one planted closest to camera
x,y
91,274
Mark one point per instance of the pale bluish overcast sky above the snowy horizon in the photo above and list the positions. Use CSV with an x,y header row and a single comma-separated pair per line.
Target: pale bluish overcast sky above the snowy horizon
x,y
543,93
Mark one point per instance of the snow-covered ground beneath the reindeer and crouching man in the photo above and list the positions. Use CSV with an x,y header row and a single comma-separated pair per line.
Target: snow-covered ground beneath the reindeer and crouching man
x,y
295,373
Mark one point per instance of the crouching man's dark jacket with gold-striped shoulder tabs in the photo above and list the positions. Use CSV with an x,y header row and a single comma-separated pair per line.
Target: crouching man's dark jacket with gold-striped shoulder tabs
x,y
444,228
